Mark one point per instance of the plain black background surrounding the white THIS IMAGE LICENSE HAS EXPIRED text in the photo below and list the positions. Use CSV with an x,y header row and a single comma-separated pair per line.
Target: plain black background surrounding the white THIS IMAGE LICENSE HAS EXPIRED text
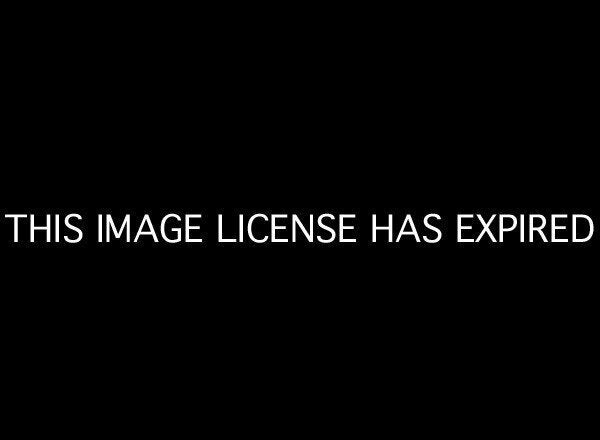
x,y
381,113
